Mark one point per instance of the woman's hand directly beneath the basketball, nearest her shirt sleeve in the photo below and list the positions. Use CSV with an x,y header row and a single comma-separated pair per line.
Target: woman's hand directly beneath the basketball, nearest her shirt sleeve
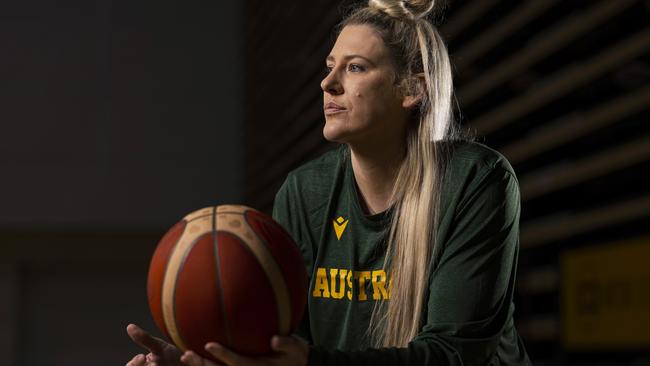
x,y
289,351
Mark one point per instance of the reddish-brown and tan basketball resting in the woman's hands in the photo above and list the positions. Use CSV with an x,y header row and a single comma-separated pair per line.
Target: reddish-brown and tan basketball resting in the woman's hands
x,y
228,274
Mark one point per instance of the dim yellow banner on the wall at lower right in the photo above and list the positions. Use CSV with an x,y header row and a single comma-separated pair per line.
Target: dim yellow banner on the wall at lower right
x,y
606,296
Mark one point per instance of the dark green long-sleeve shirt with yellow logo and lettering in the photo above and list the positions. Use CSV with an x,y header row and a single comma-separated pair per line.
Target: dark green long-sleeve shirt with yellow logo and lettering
x,y
468,313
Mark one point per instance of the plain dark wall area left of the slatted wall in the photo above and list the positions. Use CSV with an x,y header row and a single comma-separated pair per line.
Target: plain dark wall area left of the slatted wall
x,y
117,119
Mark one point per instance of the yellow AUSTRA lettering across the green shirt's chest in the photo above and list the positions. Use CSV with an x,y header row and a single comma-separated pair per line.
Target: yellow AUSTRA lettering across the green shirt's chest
x,y
341,284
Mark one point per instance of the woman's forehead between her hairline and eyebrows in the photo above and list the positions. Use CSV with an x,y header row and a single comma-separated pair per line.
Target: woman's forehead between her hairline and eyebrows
x,y
359,40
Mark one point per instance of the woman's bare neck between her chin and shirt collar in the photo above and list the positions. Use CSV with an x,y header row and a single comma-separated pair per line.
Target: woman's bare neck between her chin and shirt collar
x,y
375,171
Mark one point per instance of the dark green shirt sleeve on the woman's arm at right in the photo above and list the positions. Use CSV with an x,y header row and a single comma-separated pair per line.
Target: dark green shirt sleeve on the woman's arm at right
x,y
470,290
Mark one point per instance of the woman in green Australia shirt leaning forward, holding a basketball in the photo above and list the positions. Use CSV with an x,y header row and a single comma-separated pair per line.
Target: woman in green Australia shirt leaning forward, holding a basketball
x,y
410,234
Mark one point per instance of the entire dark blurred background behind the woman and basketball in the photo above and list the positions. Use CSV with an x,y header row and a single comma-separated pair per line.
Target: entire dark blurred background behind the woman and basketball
x,y
119,117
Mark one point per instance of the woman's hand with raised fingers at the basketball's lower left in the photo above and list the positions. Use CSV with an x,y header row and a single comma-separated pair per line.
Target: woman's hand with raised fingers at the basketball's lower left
x,y
160,353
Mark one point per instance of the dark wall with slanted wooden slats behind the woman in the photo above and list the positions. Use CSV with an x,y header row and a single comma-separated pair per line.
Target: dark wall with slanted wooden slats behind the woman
x,y
559,87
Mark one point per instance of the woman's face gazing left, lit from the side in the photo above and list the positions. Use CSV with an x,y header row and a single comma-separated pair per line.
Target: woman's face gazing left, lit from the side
x,y
361,101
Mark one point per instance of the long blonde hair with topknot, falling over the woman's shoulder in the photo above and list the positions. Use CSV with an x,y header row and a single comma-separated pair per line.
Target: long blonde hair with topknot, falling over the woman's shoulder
x,y
422,68
